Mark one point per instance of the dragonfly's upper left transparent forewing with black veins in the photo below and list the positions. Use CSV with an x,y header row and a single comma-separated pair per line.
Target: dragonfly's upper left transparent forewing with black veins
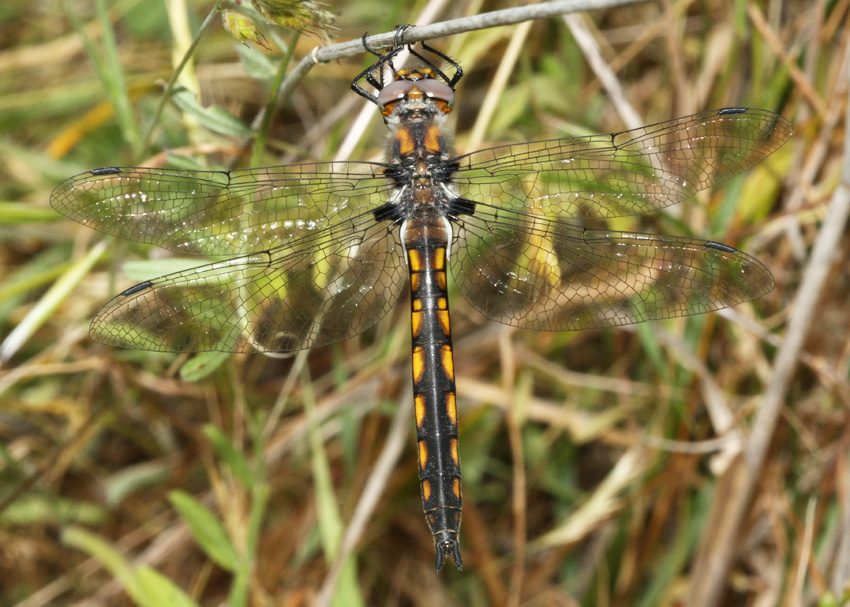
x,y
221,212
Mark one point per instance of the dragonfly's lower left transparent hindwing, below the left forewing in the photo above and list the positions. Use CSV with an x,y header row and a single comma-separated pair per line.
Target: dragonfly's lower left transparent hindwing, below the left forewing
x,y
316,290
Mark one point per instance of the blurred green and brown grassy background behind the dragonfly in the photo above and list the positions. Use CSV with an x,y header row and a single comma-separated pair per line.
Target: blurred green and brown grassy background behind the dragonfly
x,y
591,460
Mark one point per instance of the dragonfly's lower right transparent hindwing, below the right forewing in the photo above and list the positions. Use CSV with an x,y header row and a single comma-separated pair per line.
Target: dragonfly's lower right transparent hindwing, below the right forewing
x,y
536,273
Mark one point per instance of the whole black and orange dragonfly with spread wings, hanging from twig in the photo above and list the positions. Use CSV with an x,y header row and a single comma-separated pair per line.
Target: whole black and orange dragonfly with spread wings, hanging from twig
x,y
311,254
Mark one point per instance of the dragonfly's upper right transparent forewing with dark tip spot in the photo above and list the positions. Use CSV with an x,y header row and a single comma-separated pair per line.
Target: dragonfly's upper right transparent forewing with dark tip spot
x,y
623,173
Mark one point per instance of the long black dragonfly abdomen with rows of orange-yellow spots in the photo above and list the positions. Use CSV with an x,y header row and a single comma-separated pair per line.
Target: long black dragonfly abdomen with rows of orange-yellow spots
x,y
426,241
